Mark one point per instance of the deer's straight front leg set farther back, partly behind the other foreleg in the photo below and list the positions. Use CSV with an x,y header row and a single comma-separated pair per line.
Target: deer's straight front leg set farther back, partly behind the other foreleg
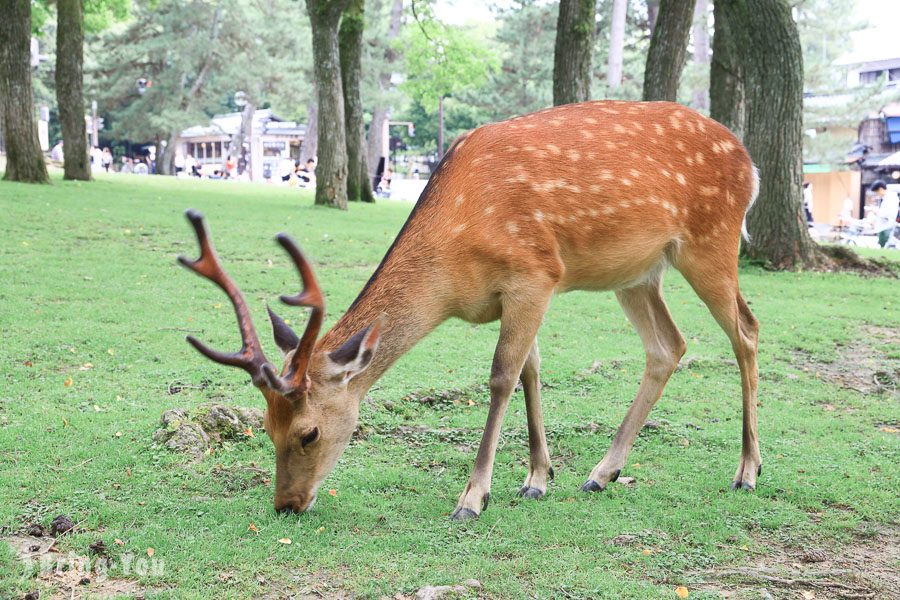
x,y
540,471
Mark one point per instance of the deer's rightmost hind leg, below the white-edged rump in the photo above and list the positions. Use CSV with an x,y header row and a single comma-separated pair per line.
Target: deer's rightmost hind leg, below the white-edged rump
x,y
717,285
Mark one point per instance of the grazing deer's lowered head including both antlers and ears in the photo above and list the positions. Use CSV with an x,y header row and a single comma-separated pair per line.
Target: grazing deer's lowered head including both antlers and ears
x,y
311,409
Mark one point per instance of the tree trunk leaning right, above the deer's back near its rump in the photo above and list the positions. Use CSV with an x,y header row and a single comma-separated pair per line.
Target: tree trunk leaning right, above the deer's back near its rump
x,y
668,50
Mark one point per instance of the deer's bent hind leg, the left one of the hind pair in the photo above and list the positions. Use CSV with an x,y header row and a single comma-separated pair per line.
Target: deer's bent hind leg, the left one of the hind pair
x,y
664,346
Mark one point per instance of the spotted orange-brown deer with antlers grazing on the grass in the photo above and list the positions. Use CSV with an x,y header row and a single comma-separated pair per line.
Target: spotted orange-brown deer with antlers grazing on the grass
x,y
603,196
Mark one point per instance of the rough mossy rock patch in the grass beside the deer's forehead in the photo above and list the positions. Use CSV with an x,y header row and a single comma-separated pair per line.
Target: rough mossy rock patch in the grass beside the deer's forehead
x,y
192,433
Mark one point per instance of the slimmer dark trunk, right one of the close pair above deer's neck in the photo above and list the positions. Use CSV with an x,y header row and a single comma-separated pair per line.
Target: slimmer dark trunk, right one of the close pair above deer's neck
x,y
350,42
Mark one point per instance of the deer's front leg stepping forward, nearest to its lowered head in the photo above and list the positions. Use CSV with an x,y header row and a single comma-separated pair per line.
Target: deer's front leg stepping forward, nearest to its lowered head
x,y
519,322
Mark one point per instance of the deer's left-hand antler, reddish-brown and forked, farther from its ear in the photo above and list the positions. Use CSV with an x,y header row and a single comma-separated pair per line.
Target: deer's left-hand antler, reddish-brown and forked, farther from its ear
x,y
250,357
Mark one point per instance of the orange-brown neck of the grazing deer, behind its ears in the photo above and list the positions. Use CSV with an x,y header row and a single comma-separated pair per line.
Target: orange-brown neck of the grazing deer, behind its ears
x,y
408,295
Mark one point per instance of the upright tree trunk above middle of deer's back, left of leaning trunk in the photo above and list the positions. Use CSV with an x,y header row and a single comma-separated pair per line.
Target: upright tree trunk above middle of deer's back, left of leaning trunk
x,y
574,49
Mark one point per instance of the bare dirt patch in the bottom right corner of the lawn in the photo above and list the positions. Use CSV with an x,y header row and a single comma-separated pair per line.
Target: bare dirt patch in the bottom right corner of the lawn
x,y
865,566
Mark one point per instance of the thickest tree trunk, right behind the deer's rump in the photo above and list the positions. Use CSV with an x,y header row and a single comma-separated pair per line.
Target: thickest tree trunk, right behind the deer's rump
x,y
772,67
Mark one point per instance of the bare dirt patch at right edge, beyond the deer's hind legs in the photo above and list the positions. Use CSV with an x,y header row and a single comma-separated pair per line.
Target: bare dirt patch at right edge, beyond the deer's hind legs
x,y
863,365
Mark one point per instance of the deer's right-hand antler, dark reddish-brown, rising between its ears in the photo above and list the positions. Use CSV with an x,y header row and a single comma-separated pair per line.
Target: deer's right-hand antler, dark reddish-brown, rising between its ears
x,y
296,380
